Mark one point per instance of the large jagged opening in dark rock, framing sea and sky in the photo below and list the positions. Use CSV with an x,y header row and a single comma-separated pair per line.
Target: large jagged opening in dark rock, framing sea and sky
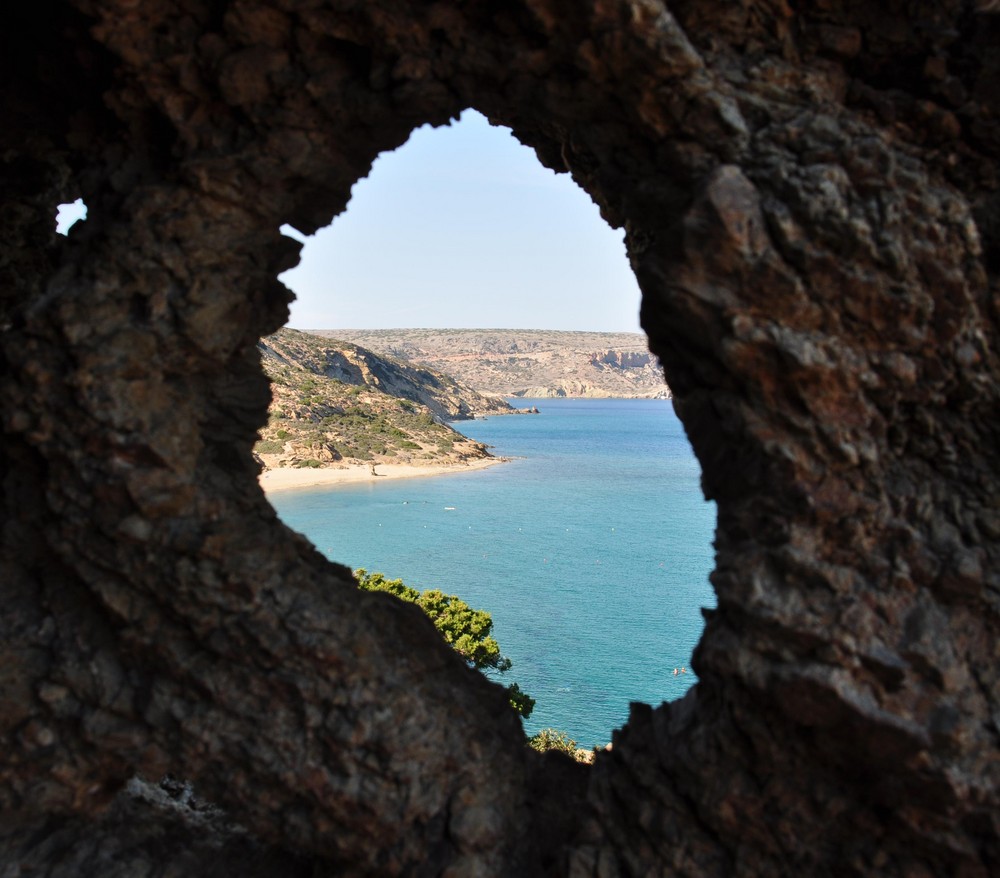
x,y
463,228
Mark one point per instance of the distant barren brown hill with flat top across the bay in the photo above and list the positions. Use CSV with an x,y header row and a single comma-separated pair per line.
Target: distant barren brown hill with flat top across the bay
x,y
530,363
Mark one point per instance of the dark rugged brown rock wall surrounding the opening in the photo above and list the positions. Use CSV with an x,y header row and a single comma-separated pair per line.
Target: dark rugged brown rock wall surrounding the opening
x,y
809,194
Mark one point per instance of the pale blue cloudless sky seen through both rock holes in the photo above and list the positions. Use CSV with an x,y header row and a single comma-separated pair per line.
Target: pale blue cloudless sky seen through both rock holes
x,y
462,227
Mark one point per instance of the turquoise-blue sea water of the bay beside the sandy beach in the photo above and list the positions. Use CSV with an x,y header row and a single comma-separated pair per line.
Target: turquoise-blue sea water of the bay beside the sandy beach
x,y
591,549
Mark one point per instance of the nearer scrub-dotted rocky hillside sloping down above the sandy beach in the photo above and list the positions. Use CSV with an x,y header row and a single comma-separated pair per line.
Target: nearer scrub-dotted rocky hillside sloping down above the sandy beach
x,y
334,402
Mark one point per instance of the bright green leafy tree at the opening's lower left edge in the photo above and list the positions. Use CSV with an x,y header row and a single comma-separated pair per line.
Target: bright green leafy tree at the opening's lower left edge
x,y
467,631
